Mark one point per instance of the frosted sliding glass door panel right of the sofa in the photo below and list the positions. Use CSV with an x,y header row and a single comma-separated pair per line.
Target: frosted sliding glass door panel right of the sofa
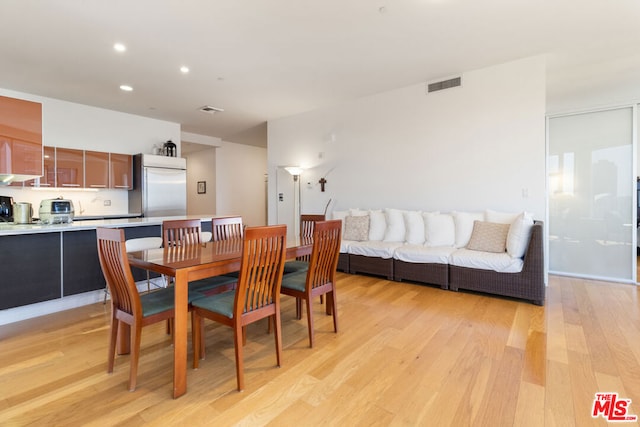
x,y
592,197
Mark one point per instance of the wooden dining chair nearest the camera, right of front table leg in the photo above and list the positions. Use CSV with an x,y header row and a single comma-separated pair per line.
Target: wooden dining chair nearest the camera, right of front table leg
x,y
256,297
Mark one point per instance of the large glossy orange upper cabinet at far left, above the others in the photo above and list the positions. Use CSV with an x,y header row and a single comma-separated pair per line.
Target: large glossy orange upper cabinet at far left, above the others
x,y
20,137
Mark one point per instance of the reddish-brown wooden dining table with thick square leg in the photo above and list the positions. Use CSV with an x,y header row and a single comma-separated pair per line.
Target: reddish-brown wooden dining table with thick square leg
x,y
186,264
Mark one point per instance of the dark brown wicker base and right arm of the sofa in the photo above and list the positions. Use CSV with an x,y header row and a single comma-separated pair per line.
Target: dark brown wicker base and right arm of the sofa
x,y
528,284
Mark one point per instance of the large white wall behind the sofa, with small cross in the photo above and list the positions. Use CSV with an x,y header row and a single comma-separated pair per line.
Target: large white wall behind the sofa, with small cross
x,y
478,146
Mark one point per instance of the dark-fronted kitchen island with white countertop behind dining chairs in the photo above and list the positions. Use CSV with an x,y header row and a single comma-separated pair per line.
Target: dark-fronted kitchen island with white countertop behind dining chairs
x,y
49,268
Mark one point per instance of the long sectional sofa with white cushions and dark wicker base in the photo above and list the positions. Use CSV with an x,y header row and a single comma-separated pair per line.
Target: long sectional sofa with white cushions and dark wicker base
x,y
490,251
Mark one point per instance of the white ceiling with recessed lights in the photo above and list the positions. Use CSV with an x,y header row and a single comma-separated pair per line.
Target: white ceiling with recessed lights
x,y
265,59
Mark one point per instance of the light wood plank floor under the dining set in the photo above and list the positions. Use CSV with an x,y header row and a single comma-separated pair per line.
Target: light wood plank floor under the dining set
x,y
405,355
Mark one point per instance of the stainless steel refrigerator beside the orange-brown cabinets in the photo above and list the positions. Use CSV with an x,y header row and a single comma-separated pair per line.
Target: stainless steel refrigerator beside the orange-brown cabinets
x,y
159,186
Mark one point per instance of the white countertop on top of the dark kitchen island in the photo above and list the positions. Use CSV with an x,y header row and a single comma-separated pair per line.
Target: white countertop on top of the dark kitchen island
x,y
8,229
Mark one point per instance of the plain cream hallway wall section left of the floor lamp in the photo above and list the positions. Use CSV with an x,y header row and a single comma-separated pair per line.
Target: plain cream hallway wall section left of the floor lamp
x,y
240,182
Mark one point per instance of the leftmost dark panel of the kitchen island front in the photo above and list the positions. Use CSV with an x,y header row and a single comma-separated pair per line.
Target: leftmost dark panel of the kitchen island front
x,y
34,272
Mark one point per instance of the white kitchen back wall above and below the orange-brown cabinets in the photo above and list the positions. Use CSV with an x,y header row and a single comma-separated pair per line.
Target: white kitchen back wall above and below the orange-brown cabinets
x,y
70,125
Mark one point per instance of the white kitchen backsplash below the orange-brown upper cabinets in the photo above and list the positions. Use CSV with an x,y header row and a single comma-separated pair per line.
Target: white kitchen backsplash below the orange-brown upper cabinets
x,y
85,202
